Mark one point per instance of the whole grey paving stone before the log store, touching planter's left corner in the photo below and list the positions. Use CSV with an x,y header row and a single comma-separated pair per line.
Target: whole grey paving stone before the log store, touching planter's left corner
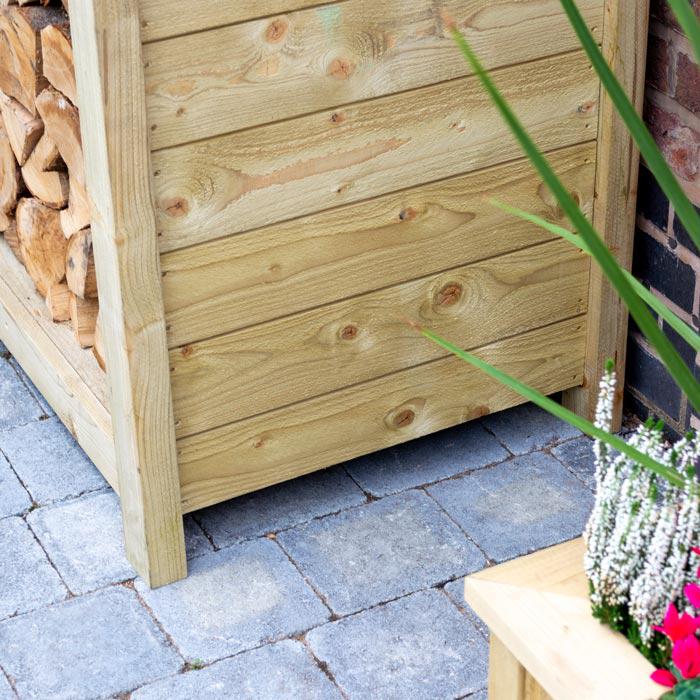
x,y
373,553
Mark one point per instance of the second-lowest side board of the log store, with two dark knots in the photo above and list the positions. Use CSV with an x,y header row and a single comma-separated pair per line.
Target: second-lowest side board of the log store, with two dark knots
x,y
349,342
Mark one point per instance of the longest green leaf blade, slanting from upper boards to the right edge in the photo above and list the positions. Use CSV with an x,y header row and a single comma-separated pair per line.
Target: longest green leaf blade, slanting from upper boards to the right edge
x,y
639,311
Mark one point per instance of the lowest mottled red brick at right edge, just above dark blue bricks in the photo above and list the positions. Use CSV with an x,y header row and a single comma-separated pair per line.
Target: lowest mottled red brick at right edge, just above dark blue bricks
x,y
679,143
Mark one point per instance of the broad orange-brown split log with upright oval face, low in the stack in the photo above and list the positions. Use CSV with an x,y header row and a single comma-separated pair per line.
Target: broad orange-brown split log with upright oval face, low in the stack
x,y
42,242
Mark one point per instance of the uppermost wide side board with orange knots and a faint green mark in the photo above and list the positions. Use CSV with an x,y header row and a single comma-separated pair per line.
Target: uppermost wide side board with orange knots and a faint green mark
x,y
235,77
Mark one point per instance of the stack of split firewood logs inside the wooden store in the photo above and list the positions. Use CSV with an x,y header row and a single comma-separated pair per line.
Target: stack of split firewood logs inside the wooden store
x,y
44,208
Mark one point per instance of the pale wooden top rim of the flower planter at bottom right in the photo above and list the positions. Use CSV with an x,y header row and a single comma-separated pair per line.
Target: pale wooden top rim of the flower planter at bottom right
x,y
539,609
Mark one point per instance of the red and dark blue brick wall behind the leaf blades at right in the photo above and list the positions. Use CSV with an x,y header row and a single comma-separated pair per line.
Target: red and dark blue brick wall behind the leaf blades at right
x,y
664,257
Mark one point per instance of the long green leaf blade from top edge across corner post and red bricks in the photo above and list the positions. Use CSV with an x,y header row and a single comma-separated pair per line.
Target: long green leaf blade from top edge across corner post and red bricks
x,y
644,140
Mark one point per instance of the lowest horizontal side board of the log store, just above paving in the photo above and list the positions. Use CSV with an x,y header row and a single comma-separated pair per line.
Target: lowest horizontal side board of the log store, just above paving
x,y
286,443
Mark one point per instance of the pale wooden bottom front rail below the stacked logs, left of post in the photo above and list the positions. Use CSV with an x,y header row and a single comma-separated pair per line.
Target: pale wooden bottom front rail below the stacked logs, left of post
x,y
67,376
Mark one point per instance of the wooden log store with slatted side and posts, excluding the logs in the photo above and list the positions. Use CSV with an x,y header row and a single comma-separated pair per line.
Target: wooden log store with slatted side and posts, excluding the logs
x,y
273,197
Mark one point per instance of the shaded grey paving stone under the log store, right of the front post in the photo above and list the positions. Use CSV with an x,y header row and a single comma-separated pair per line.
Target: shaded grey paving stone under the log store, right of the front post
x,y
280,506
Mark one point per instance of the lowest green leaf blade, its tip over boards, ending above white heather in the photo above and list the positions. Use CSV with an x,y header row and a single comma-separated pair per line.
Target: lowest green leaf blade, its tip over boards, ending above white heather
x,y
557,410
